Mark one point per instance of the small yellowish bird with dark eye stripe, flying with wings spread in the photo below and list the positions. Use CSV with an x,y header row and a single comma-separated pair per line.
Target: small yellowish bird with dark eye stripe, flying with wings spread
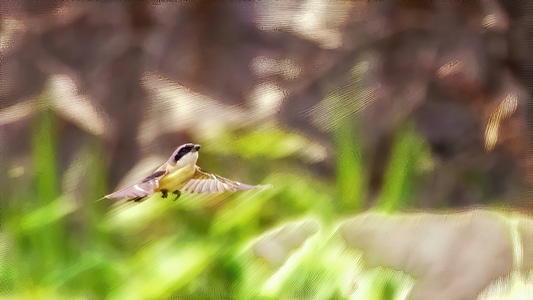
x,y
180,173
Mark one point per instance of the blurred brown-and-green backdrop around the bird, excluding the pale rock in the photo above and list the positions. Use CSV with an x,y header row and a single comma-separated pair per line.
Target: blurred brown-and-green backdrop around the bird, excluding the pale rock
x,y
341,105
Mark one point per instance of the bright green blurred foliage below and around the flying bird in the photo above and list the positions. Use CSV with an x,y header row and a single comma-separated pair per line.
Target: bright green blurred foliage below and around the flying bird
x,y
57,245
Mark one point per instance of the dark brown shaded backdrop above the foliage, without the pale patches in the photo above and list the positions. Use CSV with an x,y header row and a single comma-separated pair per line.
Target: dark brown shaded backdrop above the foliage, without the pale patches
x,y
208,47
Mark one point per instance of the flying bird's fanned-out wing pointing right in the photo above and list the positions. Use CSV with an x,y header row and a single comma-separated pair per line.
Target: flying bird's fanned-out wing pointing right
x,y
204,182
